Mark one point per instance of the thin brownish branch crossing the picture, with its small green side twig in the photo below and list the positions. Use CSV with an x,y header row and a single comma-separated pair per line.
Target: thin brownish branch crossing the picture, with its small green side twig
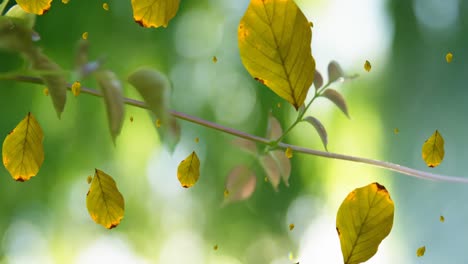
x,y
196,120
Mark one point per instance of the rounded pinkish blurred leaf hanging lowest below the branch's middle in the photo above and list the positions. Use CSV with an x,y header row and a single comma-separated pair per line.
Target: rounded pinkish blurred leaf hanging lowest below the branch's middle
x,y
240,184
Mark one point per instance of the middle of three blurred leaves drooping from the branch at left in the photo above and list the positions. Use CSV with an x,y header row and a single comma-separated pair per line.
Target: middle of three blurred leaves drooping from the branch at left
x,y
112,91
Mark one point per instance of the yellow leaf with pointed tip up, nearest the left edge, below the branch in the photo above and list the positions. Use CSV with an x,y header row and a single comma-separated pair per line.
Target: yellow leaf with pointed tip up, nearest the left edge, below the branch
x,y
23,152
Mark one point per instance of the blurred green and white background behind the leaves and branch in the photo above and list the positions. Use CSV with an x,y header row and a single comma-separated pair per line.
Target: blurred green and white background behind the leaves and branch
x,y
410,87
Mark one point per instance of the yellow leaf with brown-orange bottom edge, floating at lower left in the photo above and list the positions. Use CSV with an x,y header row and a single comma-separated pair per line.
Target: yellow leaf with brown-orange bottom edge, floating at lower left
x,y
105,203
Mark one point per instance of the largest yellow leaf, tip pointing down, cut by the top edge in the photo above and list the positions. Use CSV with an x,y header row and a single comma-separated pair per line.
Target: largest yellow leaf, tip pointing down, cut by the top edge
x,y
274,40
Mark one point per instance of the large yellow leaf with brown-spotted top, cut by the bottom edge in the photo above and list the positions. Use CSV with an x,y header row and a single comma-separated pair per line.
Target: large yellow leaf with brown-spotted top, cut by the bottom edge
x,y
364,219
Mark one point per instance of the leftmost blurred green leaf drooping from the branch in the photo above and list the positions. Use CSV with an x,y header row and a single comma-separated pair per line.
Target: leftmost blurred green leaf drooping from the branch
x,y
52,75
